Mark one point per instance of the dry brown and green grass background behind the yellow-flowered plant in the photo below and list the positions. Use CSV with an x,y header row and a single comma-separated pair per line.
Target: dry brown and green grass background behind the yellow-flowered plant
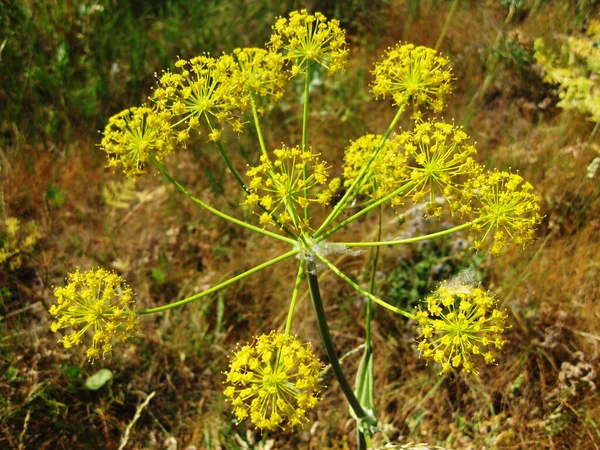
x,y
66,66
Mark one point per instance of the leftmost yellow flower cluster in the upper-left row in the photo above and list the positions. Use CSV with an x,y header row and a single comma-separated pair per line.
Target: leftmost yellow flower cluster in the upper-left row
x,y
133,135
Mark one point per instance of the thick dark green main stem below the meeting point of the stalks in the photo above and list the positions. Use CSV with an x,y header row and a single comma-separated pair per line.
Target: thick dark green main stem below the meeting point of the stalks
x,y
315,295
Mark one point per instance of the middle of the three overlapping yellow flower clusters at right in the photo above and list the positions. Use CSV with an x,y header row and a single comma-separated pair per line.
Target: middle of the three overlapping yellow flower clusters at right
x,y
441,160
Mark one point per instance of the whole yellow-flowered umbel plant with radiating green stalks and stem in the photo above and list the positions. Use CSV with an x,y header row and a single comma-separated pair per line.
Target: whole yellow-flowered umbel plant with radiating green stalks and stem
x,y
274,381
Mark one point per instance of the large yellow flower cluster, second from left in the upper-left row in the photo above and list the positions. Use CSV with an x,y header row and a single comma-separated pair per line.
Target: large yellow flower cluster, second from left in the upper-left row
x,y
203,90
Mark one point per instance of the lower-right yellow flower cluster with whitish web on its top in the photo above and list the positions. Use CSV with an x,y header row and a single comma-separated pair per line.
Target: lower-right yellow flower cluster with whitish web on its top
x,y
459,326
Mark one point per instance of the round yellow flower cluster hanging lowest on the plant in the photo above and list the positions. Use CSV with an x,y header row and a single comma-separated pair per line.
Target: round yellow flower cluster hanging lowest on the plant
x,y
274,381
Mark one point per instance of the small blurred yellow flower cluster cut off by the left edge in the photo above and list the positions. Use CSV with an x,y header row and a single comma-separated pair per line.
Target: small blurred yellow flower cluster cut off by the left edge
x,y
16,240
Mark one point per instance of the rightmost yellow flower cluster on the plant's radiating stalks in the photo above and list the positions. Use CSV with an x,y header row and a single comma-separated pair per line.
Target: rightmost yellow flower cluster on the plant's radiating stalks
x,y
509,209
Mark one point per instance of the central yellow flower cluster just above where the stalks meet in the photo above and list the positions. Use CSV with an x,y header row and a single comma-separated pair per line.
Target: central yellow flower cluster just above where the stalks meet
x,y
279,186
